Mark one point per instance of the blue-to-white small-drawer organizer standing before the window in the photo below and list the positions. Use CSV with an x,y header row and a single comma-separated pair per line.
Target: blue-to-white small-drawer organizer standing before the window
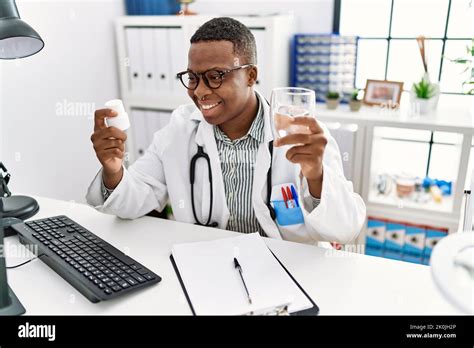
x,y
324,63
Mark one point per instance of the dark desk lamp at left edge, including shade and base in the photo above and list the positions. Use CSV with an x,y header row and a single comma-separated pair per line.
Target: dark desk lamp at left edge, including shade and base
x,y
17,40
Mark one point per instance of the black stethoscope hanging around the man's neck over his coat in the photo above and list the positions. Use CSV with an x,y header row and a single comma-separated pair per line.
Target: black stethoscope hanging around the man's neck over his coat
x,y
201,154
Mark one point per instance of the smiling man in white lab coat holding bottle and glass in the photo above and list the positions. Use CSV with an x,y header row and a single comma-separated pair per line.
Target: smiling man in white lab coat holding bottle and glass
x,y
247,165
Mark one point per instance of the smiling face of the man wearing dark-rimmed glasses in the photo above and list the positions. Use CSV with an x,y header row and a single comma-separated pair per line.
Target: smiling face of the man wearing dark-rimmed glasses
x,y
232,97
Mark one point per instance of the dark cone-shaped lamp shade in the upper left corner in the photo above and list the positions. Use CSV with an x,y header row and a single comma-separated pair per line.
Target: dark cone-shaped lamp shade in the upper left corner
x,y
17,38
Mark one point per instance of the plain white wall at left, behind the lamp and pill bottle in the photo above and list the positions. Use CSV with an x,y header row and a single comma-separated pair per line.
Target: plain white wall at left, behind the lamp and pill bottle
x,y
47,100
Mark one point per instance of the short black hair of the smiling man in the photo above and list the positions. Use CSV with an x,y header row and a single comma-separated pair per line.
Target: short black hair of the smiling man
x,y
229,29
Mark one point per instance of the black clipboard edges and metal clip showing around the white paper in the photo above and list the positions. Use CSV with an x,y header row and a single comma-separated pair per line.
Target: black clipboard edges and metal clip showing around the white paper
x,y
279,310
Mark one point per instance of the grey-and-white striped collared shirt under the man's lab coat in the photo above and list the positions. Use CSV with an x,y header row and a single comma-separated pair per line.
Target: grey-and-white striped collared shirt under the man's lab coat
x,y
237,159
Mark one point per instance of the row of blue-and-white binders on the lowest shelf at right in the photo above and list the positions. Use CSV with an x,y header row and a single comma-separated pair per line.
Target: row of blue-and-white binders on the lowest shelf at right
x,y
401,241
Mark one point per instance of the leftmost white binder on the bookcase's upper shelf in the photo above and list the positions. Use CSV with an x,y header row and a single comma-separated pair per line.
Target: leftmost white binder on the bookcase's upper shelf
x,y
135,68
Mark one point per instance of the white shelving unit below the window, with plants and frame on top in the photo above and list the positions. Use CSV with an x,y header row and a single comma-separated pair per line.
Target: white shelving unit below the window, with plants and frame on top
x,y
455,120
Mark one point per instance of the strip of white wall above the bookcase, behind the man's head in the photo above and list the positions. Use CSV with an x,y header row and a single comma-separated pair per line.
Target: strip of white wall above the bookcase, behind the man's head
x,y
314,16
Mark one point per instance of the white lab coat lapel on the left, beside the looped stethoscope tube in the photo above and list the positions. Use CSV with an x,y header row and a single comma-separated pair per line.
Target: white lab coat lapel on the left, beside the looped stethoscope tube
x,y
205,138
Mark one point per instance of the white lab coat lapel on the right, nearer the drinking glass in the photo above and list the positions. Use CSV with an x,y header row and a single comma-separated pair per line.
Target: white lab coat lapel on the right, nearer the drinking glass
x,y
259,192
